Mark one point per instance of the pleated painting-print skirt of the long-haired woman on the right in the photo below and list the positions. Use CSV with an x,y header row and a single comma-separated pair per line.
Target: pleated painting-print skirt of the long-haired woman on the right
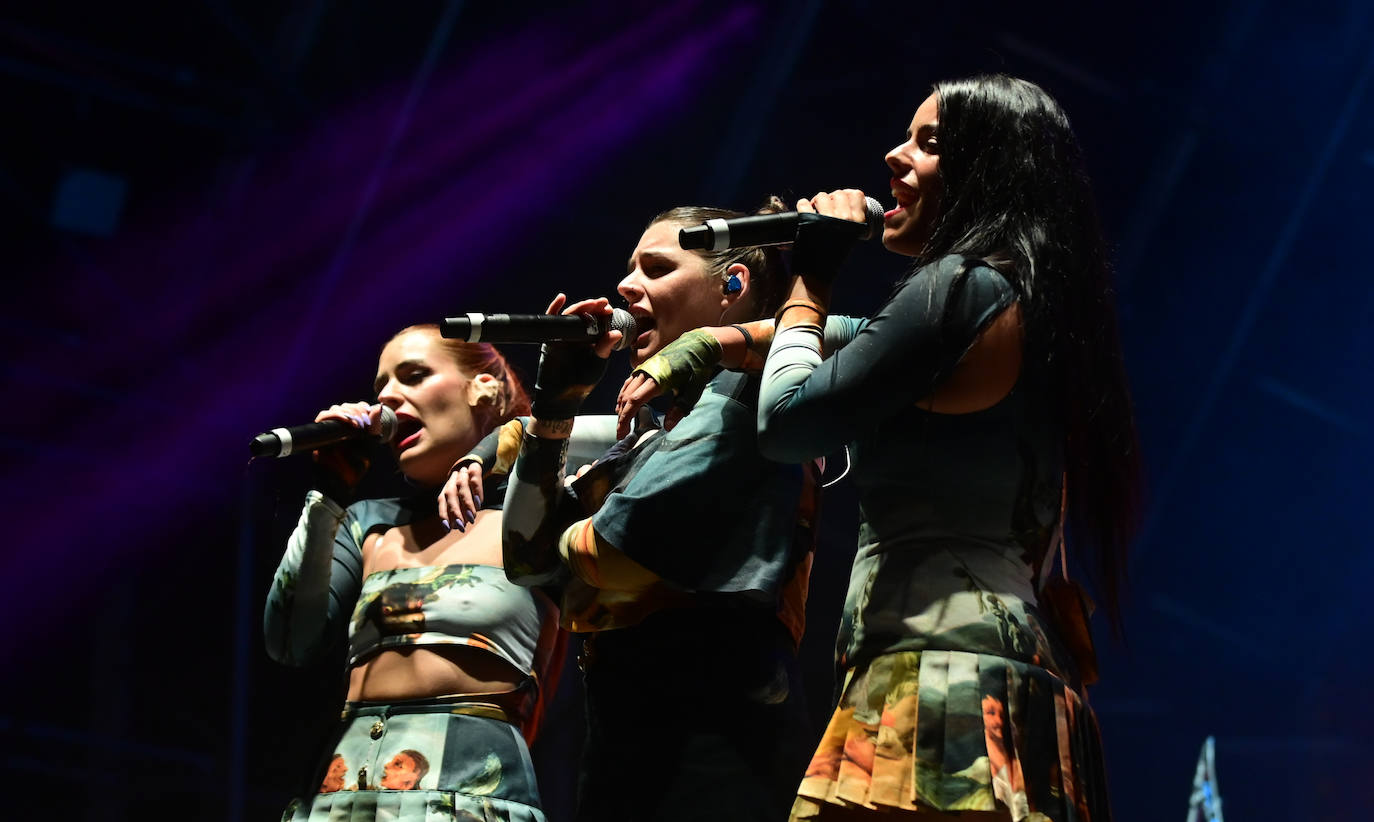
x,y
958,732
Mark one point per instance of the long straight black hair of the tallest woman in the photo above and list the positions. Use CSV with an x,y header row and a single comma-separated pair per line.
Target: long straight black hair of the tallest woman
x,y
1016,195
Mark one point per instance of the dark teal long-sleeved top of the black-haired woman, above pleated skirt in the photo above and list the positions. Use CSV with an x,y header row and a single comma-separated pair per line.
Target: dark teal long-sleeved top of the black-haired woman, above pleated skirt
x,y
957,511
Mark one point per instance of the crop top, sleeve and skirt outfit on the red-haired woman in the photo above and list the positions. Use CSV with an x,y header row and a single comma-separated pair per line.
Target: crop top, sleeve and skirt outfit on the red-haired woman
x,y
425,759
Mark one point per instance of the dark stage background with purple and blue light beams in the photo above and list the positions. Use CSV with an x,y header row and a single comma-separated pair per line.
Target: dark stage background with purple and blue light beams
x,y
216,212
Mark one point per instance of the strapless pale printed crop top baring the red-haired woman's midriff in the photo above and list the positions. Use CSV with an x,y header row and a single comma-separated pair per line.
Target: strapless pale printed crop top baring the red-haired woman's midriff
x,y
472,606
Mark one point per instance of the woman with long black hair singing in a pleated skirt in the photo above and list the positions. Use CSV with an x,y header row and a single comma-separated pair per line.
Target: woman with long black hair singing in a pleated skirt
x,y
986,398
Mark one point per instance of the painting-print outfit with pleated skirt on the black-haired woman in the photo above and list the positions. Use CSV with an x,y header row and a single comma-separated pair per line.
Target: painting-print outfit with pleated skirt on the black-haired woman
x,y
957,691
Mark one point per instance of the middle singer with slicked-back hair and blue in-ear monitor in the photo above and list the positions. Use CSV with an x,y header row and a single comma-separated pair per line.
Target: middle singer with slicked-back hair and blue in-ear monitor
x,y
685,556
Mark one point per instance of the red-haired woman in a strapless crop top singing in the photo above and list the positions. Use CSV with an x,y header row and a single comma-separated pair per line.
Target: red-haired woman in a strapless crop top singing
x,y
447,659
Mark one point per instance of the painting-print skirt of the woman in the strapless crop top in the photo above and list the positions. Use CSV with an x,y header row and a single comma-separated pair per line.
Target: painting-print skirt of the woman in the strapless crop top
x,y
425,761
